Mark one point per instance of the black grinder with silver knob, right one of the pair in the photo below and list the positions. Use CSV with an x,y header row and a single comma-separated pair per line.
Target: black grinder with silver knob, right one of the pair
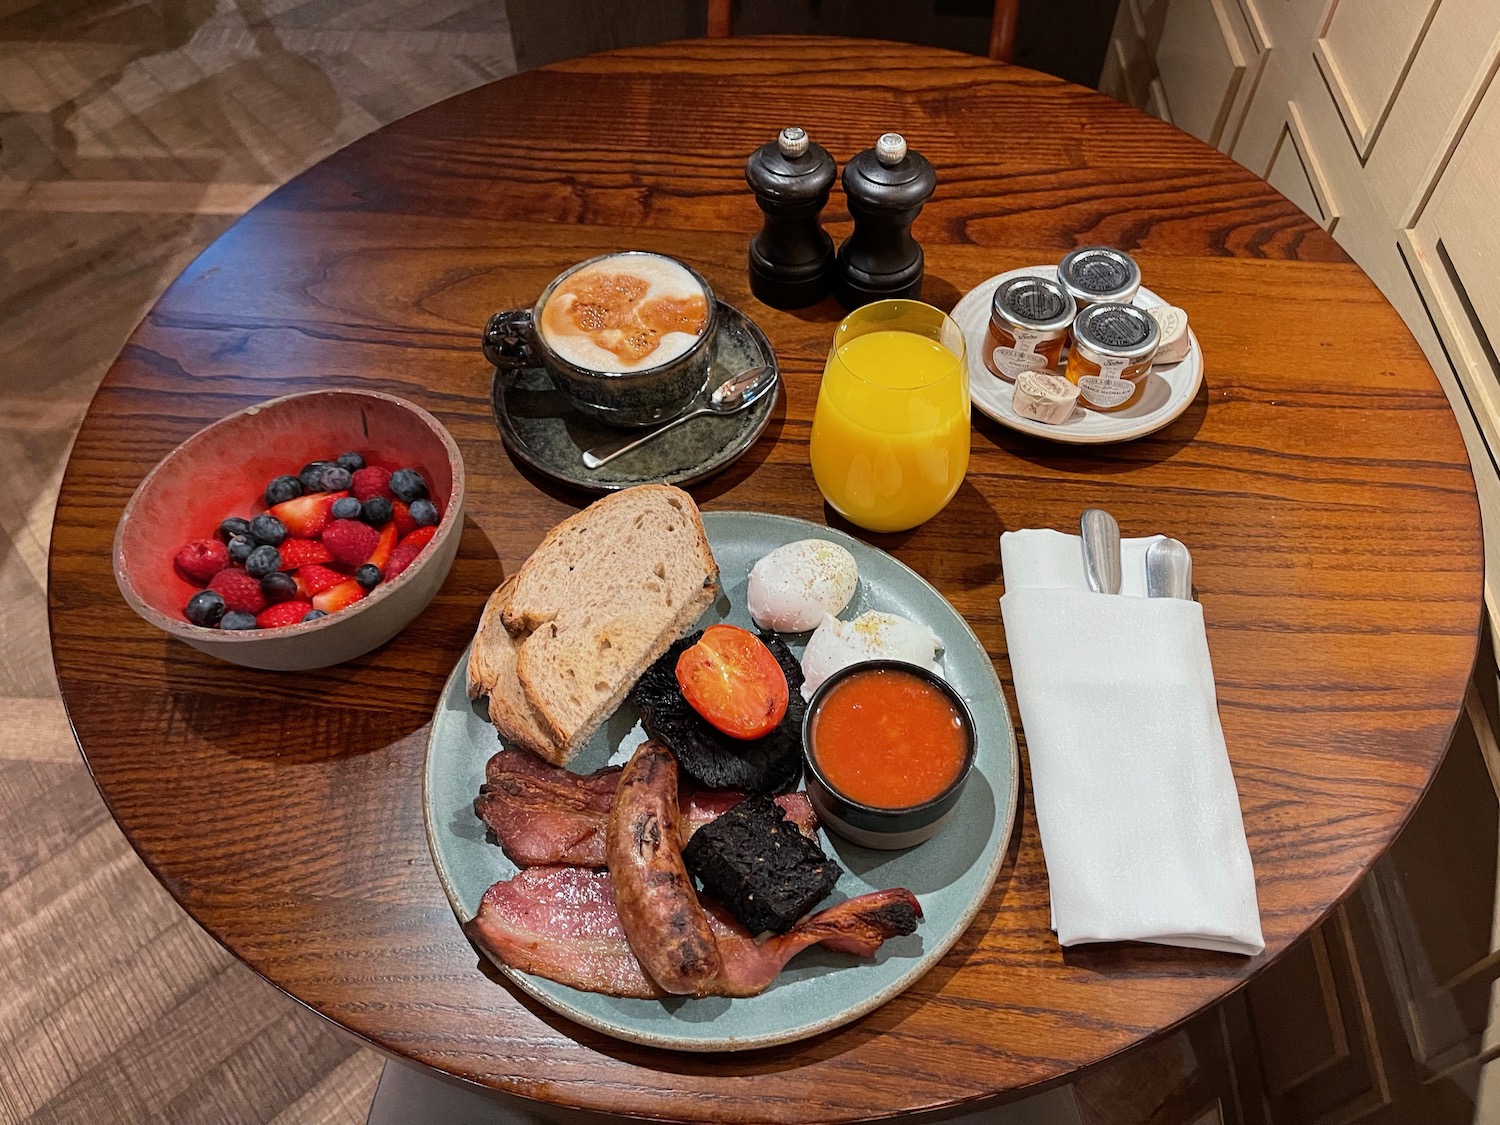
x,y
887,187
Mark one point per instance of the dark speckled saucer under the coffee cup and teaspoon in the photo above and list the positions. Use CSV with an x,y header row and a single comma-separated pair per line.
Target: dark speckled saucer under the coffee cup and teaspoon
x,y
550,436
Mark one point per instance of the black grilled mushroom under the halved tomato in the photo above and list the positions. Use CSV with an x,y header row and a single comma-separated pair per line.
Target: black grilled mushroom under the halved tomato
x,y
712,758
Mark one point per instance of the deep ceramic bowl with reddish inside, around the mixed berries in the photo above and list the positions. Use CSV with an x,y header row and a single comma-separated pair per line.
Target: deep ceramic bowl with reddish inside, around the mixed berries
x,y
223,472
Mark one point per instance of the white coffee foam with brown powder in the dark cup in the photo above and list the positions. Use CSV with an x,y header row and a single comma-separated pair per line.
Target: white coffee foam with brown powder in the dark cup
x,y
626,313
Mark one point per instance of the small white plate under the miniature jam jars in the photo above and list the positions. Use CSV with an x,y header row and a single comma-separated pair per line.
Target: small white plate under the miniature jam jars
x,y
1171,388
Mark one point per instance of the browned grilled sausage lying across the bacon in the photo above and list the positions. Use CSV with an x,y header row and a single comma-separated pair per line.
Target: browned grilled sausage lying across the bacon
x,y
667,928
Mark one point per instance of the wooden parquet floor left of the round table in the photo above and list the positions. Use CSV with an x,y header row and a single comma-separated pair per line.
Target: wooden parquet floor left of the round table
x,y
131,134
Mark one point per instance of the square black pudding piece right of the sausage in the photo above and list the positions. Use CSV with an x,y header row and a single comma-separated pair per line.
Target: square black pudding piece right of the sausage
x,y
760,866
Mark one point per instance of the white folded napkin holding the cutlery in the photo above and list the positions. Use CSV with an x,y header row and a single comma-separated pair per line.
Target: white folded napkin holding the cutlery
x,y
1136,803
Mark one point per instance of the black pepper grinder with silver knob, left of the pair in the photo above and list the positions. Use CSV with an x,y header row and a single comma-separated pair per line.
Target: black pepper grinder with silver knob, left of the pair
x,y
793,257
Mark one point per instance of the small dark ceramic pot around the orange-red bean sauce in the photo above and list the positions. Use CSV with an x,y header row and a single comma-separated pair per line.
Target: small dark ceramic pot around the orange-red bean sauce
x,y
872,826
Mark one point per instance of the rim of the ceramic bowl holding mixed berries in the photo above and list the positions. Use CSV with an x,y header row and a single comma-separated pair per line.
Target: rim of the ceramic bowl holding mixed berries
x,y
185,631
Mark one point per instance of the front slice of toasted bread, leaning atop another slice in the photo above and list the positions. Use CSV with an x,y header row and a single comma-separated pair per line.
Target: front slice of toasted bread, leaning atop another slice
x,y
599,601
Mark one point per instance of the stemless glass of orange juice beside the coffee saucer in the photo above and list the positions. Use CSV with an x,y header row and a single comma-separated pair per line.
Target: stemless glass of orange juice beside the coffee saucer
x,y
890,439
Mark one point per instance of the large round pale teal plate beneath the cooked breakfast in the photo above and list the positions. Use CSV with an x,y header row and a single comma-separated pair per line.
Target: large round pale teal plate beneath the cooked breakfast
x,y
820,989
